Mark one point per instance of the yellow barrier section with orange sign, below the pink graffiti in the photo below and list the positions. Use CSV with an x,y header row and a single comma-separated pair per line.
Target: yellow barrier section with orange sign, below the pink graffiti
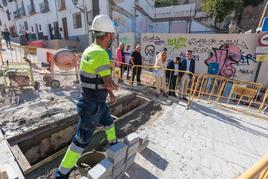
x,y
231,93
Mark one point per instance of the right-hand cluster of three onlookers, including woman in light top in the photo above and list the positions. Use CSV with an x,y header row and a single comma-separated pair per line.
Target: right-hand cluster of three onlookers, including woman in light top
x,y
178,73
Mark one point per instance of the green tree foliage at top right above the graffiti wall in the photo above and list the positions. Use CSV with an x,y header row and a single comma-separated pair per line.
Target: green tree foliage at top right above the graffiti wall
x,y
221,8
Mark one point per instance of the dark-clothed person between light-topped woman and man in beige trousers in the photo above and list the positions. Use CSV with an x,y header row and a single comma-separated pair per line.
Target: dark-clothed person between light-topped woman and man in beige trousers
x,y
173,76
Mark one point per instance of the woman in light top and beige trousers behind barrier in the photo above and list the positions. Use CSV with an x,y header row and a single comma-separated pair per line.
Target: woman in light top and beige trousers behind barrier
x,y
160,65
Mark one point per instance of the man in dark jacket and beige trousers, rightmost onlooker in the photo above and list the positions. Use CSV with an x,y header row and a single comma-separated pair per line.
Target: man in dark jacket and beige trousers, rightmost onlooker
x,y
188,65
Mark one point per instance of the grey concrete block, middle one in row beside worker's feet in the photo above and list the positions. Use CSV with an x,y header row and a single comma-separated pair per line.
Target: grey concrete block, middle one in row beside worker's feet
x,y
117,152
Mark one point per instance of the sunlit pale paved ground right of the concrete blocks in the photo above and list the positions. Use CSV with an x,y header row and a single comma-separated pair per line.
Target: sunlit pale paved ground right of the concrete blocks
x,y
203,142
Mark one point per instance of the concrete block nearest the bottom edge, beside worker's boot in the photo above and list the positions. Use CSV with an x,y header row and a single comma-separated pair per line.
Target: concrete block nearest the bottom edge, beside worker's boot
x,y
101,171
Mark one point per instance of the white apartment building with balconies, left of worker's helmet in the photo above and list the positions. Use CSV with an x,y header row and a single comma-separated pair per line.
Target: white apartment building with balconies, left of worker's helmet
x,y
51,19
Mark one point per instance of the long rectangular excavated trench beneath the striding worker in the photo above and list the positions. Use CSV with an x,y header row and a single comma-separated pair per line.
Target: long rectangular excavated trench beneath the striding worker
x,y
41,150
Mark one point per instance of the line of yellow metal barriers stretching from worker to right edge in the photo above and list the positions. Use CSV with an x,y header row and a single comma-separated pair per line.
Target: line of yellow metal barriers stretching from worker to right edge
x,y
229,93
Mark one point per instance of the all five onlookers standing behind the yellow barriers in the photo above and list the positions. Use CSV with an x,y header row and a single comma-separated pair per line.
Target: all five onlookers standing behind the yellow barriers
x,y
168,75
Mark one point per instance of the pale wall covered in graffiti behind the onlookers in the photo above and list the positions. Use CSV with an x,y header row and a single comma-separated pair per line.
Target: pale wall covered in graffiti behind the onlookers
x,y
235,54
